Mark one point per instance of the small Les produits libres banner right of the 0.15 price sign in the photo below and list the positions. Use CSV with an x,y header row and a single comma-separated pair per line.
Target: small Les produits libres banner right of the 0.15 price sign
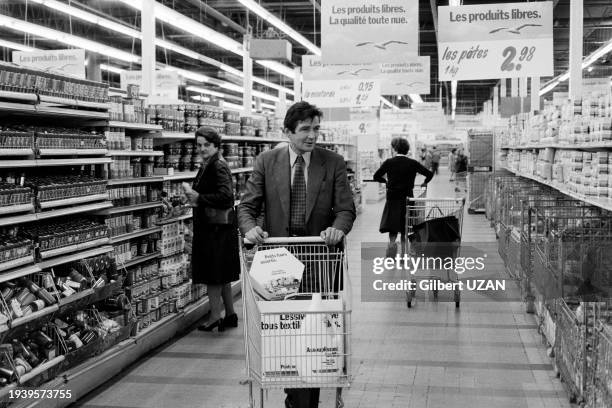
x,y
407,77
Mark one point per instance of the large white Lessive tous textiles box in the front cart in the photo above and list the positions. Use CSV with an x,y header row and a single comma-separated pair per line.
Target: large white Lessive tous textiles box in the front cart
x,y
303,340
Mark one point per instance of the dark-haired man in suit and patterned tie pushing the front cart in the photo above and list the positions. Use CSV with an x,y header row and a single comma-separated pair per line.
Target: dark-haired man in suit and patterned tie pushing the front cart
x,y
304,191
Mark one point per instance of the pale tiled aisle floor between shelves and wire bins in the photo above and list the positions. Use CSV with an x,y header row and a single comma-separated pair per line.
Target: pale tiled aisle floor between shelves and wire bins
x,y
485,354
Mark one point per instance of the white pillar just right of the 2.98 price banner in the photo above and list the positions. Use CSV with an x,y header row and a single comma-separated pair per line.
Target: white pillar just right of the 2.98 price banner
x,y
575,62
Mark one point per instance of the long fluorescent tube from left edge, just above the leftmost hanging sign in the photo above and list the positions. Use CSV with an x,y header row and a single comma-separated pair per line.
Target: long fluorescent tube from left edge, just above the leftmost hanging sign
x,y
65,38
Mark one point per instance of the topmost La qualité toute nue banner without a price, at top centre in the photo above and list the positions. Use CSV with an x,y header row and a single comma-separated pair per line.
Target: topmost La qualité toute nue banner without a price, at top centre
x,y
362,31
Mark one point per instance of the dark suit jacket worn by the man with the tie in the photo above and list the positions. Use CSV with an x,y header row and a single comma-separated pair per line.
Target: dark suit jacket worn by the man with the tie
x,y
329,202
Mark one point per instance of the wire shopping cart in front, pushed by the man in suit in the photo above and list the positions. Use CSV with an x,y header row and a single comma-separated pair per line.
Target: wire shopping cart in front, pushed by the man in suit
x,y
288,344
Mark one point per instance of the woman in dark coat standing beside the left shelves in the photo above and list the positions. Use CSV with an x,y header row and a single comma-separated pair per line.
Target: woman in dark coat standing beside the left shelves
x,y
215,257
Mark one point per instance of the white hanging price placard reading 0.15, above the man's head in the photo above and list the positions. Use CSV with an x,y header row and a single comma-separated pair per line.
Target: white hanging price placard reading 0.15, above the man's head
x,y
342,93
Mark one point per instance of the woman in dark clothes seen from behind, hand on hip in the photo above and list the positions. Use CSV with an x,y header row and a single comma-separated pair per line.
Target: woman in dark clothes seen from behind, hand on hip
x,y
401,172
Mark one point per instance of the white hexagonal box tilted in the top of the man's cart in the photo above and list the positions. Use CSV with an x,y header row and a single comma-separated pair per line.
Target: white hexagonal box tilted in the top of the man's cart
x,y
276,273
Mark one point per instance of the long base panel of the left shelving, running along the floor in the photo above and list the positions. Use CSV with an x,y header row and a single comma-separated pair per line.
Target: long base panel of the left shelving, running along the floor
x,y
95,371
